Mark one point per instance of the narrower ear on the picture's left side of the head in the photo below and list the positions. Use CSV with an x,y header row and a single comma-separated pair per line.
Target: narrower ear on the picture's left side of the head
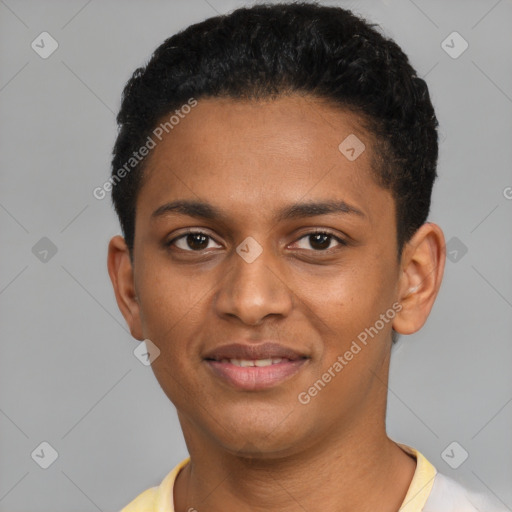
x,y
121,274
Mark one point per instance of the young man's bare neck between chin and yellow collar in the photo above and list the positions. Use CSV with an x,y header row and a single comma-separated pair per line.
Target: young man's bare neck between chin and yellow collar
x,y
355,471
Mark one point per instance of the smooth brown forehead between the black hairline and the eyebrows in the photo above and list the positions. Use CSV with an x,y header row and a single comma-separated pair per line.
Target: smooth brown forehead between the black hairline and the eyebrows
x,y
256,155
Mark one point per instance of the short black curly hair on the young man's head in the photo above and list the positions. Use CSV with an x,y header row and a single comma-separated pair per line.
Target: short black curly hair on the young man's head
x,y
269,50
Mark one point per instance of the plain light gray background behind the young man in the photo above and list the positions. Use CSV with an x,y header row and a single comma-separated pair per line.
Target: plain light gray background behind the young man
x,y
68,375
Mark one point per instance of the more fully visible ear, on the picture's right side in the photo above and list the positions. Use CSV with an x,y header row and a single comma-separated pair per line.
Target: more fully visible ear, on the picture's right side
x,y
422,267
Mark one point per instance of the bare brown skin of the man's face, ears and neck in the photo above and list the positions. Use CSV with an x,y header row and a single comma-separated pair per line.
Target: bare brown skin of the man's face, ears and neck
x,y
264,450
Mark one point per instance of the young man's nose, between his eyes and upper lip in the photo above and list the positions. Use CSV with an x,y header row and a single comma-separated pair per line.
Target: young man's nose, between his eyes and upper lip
x,y
254,288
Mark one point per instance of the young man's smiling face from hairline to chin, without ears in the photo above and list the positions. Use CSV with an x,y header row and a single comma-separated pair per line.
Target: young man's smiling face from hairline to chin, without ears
x,y
255,262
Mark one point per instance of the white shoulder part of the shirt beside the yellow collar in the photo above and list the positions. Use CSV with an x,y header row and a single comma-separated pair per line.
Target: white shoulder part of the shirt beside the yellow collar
x,y
447,495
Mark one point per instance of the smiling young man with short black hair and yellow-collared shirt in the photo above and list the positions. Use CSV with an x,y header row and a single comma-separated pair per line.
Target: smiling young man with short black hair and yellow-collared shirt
x,y
272,176
